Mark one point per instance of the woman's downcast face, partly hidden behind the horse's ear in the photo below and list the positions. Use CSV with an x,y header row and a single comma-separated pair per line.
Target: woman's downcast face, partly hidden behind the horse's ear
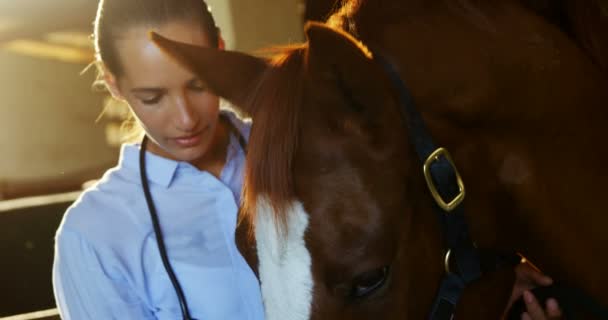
x,y
175,109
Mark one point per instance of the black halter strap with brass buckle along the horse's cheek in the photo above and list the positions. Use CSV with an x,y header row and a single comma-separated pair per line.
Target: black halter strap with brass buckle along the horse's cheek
x,y
444,182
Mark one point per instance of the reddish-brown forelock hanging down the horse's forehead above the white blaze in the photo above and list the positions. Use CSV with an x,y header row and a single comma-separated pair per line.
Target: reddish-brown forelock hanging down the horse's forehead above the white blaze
x,y
275,108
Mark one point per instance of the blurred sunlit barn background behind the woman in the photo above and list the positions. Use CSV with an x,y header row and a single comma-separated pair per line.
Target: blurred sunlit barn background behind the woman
x,y
50,141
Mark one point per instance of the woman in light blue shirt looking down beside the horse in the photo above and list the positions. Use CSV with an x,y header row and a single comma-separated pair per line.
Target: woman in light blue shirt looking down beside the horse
x,y
108,264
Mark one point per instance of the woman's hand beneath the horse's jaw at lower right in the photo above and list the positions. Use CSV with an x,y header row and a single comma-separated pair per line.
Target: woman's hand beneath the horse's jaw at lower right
x,y
528,278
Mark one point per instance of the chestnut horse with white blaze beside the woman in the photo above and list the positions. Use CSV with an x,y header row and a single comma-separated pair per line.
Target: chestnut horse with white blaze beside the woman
x,y
343,223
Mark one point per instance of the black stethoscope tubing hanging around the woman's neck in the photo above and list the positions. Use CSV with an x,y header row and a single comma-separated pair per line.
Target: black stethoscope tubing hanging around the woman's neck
x,y
156,224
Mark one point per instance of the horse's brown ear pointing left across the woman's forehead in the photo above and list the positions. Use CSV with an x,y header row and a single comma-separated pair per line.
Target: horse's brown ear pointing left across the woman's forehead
x,y
228,74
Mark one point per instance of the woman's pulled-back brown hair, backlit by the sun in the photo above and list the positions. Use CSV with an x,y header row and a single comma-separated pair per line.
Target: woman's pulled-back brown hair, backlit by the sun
x,y
115,17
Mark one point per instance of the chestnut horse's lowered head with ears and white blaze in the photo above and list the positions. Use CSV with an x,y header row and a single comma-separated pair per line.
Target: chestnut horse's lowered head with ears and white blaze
x,y
329,165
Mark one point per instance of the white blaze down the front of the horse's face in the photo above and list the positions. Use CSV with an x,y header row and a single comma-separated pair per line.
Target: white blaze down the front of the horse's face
x,y
284,263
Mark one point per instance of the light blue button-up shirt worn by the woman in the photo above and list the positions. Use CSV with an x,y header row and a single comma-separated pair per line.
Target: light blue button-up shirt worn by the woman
x,y
107,264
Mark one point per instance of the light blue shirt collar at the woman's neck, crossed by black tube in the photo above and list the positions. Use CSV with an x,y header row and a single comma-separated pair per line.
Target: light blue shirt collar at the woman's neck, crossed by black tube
x,y
158,169
